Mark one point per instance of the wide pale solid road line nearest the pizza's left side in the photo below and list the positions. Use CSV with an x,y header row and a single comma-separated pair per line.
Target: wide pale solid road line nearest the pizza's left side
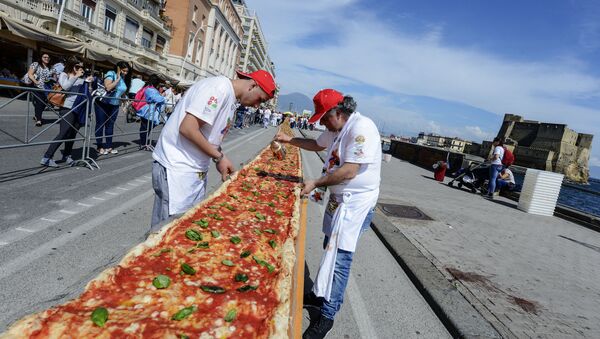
x,y
18,263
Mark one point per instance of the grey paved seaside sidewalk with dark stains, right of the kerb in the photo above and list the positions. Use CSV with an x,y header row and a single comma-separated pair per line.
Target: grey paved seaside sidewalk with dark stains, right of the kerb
x,y
528,275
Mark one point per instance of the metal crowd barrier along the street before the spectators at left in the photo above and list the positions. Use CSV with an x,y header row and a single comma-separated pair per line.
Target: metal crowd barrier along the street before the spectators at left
x,y
85,133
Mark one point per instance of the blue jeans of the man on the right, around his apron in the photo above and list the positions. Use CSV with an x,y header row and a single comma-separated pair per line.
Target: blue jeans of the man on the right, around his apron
x,y
341,274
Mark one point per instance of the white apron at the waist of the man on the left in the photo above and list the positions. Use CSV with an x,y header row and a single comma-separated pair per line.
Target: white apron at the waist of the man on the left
x,y
186,189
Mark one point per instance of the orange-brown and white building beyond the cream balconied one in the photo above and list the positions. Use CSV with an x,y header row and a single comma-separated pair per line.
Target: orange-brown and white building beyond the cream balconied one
x,y
206,39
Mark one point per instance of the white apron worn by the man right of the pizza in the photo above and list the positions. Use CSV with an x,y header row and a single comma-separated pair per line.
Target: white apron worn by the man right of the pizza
x,y
344,229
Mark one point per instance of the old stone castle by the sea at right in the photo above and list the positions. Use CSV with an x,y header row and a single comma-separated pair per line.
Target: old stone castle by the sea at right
x,y
546,146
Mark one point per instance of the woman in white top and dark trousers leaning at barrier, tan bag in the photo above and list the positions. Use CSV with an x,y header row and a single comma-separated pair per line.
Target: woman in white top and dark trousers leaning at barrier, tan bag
x,y
71,80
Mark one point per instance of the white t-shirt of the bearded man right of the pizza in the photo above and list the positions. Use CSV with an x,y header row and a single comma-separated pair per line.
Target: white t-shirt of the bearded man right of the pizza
x,y
361,145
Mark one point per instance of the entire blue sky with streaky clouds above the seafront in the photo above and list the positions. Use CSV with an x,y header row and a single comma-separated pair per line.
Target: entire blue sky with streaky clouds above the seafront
x,y
450,67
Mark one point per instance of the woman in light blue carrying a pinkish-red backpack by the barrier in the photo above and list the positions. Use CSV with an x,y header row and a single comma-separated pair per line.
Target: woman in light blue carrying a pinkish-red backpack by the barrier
x,y
150,109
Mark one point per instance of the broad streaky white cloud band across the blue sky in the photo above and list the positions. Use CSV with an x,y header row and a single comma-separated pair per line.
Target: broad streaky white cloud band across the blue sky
x,y
359,49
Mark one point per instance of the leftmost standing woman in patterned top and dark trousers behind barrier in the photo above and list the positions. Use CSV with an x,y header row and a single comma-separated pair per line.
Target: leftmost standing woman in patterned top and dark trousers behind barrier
x,y
40,74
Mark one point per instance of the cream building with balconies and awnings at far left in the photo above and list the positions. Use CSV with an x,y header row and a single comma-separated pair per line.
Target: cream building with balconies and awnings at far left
x,y
99,30
